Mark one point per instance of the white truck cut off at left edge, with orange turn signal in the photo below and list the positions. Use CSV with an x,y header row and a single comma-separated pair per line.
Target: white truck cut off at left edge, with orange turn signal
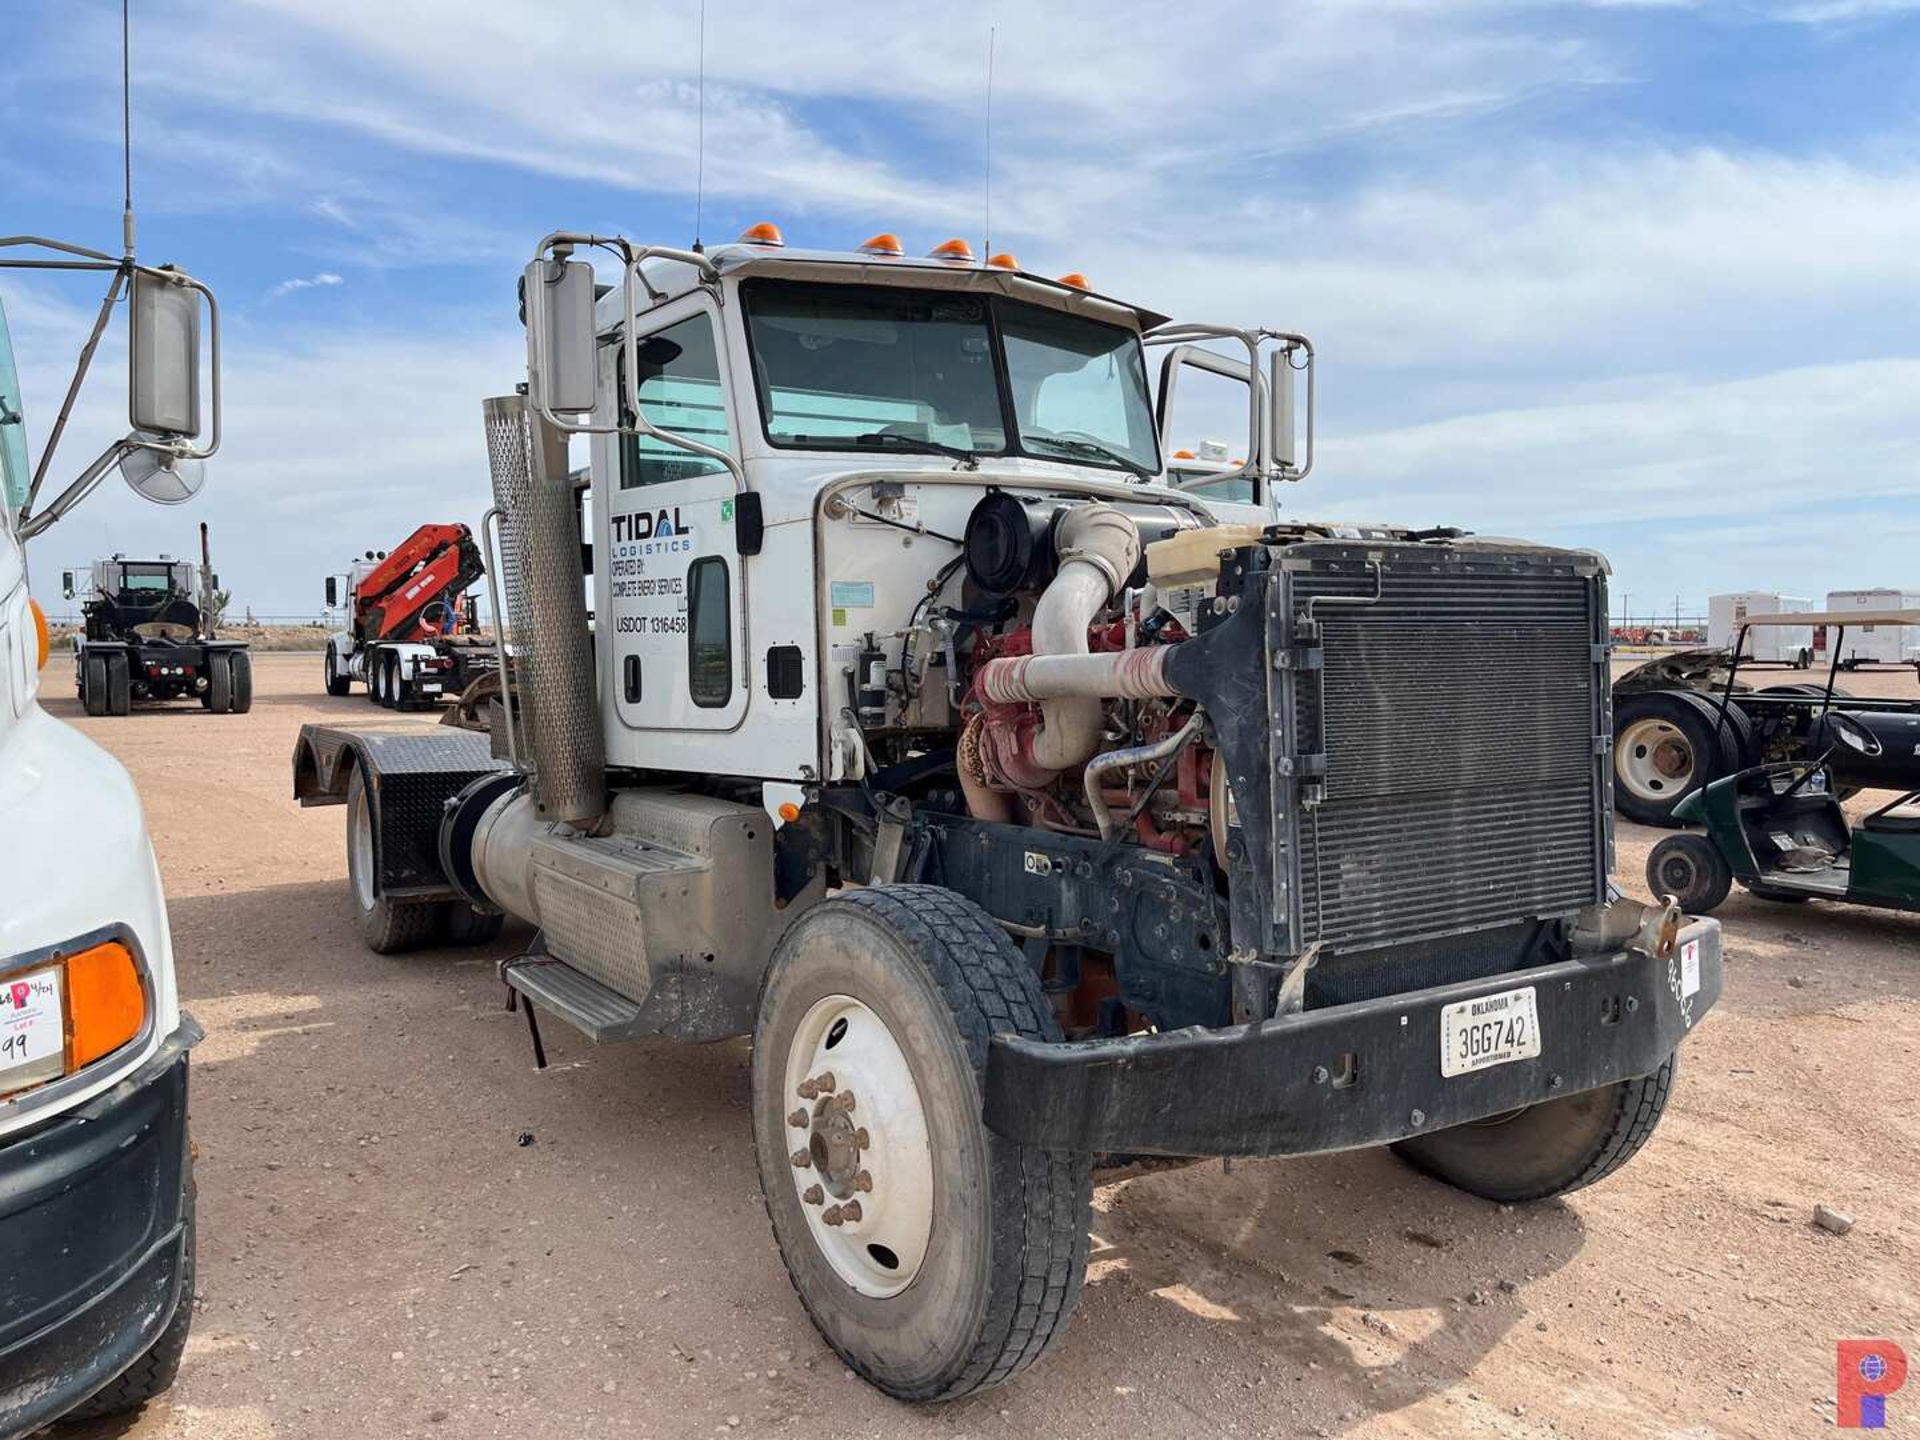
x,y
97,1193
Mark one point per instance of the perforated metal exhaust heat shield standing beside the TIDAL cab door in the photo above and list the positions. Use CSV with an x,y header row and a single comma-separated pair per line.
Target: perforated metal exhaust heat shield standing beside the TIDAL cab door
x,y
548,613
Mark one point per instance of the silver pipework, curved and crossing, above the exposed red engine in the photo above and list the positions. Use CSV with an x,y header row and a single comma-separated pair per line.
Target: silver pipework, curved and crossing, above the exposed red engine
x,y
1099,548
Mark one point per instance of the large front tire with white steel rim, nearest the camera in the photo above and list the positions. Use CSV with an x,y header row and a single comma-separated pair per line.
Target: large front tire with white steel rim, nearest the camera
x,y
938,1260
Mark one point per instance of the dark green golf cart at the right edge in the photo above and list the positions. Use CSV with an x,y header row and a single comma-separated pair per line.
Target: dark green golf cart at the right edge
x,y
1779,828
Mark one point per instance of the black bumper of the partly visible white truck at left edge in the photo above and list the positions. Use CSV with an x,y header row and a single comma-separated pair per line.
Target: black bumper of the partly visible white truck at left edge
x,y
93,1239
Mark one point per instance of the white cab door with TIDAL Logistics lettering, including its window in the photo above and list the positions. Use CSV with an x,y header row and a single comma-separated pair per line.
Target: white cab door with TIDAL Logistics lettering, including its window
x,y
675,583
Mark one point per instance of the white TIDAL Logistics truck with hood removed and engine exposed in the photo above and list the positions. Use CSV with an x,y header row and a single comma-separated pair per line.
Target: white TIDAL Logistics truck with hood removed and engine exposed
x,y
1026,809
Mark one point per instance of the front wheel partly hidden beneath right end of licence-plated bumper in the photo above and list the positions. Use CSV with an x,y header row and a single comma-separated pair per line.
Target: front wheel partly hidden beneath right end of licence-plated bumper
x,y
1547,1149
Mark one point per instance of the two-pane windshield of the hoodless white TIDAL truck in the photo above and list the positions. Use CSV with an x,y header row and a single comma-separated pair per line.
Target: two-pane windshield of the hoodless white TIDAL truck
x,y
882,368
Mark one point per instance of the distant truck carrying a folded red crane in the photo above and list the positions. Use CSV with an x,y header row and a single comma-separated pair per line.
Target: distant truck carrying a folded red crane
x,y
412,635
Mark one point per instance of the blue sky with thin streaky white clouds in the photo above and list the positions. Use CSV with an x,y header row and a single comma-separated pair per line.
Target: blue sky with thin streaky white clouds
x,y
1637,276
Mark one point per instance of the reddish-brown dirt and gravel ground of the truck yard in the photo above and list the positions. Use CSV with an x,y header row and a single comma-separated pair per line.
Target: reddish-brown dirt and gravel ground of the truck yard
x,y
410,1232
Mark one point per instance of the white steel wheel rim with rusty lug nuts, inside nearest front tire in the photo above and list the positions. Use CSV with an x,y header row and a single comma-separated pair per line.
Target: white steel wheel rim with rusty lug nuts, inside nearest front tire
x,y
867,1186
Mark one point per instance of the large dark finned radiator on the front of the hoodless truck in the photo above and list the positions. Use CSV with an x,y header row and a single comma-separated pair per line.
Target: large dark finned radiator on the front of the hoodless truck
x,y
1452,740
